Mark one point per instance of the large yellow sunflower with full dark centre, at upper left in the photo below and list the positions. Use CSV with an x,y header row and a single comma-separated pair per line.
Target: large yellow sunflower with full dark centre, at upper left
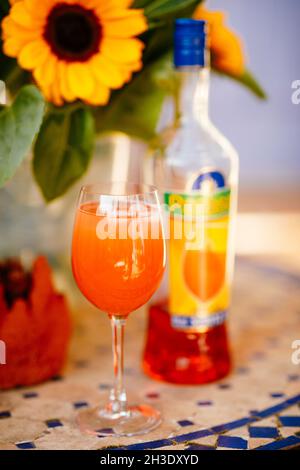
x,y
75,49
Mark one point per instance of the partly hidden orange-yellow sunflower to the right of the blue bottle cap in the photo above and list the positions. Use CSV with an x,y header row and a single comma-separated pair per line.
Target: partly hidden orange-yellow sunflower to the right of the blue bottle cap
x,y
226,47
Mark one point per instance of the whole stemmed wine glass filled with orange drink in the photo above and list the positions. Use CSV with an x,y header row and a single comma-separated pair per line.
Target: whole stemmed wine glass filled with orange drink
x,y
118,260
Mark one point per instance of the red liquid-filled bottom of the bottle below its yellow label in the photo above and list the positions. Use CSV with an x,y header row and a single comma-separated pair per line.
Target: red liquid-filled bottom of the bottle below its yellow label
x,y
184,358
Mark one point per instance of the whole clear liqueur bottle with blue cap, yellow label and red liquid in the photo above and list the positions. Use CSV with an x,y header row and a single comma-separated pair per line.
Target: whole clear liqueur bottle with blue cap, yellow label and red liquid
x,y
196,170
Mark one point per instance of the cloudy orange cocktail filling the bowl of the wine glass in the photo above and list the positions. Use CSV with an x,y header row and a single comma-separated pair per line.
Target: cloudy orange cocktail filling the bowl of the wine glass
x,y
115,271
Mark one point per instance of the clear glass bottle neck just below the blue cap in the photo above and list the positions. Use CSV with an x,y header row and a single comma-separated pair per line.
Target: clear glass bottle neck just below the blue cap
x,y
193,97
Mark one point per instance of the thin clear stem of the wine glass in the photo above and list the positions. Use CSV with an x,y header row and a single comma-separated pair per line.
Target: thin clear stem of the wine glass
x,y
118,398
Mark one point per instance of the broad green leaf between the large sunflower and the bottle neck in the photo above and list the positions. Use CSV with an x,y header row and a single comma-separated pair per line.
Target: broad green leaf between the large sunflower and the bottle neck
x,y
136,108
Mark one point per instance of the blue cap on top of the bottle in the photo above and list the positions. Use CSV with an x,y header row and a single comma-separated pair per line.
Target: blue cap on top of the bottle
x,y
190,42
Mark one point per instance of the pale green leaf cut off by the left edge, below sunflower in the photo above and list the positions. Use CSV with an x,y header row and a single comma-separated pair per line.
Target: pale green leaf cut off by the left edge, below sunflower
x,y
19,124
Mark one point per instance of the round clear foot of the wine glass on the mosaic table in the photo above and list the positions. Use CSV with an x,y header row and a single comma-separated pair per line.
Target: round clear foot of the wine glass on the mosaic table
x,y
135,420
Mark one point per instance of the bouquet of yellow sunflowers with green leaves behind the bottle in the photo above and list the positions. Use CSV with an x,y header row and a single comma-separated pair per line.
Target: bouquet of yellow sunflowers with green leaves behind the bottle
x,y
78,68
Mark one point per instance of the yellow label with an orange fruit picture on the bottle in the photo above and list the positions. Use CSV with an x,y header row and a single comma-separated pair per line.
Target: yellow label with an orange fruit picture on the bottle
x,y
198,234
